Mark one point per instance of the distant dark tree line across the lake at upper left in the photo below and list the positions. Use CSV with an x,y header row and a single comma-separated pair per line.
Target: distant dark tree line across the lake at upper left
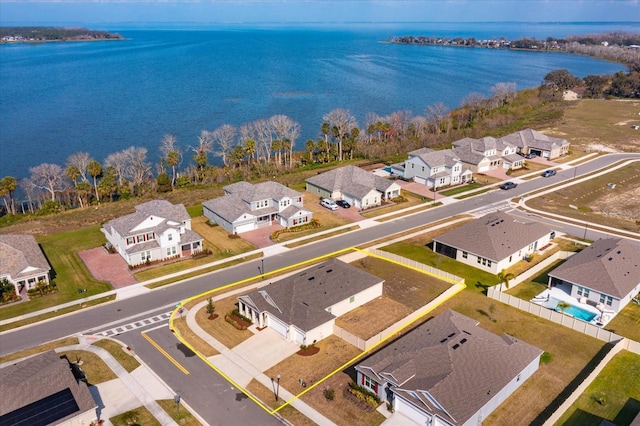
x,y
33,34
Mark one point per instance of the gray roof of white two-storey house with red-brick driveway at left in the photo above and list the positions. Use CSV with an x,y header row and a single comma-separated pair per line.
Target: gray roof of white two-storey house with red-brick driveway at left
x,y
157,208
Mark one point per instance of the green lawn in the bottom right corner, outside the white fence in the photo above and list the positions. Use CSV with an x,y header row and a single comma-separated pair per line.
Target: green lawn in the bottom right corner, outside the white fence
x,y
614,395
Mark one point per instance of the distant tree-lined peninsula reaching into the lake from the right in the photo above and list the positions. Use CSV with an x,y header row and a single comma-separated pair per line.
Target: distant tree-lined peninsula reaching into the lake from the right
x,y
621,47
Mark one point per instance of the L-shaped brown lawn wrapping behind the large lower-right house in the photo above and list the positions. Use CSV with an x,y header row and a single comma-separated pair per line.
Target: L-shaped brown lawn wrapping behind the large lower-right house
x,y
529,403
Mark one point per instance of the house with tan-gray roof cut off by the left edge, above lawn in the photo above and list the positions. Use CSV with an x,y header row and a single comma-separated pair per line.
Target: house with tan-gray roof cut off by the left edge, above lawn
x,y
22,262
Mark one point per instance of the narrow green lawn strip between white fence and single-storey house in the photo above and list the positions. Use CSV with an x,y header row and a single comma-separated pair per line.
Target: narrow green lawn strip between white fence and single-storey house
x,y
475,279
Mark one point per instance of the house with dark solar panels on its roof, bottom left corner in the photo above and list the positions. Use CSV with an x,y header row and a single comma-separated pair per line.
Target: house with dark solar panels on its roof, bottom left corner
x,y
43,390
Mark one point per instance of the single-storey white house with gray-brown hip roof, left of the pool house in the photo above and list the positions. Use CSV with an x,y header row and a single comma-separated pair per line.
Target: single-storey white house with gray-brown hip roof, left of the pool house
x,y
493,242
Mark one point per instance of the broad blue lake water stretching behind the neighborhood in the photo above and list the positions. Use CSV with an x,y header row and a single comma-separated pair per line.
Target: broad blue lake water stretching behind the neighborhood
x,y
60,98
